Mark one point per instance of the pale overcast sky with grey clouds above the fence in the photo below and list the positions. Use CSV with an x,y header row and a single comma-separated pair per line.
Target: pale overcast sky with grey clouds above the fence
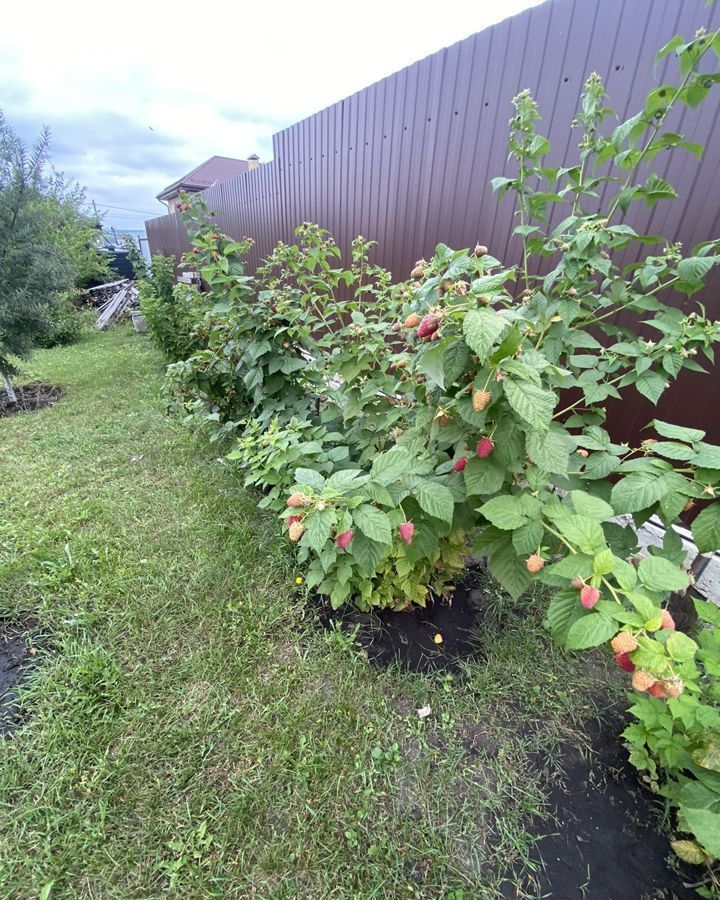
x,y
138,93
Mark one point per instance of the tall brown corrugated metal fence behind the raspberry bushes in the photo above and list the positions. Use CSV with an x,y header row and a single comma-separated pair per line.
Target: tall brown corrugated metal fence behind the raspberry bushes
x,y
407,162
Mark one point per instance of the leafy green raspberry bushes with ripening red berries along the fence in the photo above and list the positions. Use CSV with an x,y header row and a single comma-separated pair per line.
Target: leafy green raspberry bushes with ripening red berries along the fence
x,y
397,427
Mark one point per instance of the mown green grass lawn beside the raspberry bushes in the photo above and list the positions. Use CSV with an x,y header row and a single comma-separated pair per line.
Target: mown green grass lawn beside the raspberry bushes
x,y
189,730
